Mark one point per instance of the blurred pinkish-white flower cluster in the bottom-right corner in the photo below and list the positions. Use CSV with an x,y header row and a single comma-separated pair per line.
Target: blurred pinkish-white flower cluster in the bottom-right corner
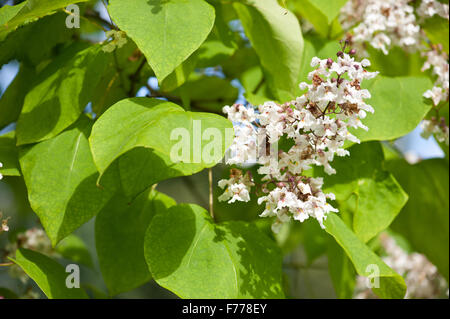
x,y
421,276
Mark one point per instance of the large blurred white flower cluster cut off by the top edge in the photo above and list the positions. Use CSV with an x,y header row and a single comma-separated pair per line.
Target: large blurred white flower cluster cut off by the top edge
x,y
383,23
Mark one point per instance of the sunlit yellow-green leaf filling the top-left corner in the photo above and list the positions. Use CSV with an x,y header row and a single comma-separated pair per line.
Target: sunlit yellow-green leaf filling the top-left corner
x,y
13,17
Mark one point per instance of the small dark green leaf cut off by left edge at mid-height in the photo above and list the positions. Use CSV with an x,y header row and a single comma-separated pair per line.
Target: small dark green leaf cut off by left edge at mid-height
x,y
9,155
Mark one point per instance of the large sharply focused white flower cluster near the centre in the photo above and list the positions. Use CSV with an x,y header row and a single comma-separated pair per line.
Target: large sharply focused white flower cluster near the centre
x,y
316,124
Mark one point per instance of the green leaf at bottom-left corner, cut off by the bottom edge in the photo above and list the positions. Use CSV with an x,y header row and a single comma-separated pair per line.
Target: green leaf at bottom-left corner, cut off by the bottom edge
x,y
49,275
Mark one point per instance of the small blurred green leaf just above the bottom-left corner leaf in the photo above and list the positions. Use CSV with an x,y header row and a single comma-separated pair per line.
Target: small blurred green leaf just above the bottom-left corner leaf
x,y
73,248
